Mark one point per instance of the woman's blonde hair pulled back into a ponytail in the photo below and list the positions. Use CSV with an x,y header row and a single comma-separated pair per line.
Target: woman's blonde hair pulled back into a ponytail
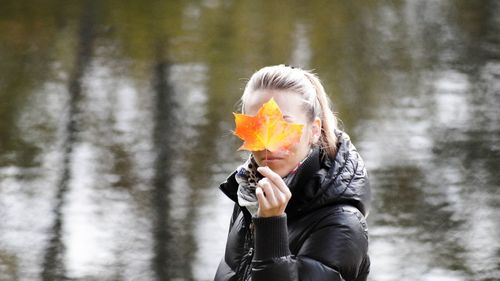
x,y
308,85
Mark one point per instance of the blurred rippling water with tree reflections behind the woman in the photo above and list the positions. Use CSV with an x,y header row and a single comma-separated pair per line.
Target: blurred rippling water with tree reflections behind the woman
x,y
116,119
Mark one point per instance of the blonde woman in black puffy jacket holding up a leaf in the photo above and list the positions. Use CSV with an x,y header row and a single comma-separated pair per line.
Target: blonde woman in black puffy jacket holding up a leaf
x,y
297,215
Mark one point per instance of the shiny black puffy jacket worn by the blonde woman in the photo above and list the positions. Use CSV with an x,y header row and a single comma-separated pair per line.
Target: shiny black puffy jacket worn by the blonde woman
x,y
323,235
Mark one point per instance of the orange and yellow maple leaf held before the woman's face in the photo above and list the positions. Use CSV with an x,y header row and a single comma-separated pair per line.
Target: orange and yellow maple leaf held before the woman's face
x,y
267,130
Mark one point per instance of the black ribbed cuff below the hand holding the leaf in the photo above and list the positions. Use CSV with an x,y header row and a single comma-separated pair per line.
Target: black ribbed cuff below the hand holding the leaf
x,y
271,237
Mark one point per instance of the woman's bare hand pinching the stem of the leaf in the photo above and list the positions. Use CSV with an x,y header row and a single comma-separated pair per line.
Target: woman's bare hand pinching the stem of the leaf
x,y
272,194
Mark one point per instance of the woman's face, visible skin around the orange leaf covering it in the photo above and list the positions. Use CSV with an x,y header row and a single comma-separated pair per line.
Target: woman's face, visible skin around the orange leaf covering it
x,y
292,107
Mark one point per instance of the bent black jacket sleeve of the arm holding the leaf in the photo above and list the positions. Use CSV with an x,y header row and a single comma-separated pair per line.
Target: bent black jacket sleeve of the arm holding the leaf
x,y
335,250
